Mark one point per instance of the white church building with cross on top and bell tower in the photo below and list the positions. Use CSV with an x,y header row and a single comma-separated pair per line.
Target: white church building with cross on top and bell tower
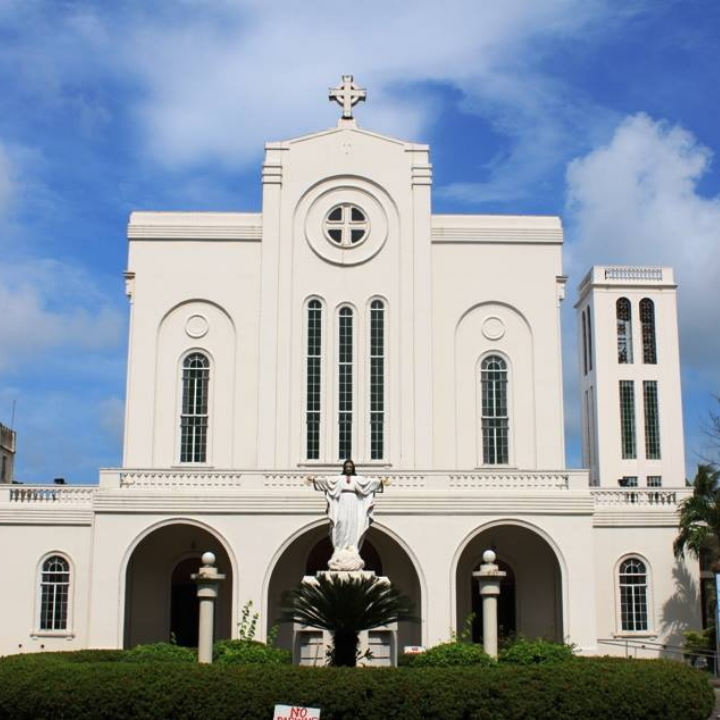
x,y
348,320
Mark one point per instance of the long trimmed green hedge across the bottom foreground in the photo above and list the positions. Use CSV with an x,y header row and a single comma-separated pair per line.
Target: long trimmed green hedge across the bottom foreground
x,y
59,686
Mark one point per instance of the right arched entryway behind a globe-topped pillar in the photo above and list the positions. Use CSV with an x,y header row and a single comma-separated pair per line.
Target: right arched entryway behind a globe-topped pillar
x,y
530,602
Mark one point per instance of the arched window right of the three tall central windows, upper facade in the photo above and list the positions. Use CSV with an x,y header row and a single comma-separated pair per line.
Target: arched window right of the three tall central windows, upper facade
x,y
495,421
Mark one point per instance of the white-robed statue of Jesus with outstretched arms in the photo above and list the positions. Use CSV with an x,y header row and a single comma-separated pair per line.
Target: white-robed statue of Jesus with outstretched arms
x,y
350,503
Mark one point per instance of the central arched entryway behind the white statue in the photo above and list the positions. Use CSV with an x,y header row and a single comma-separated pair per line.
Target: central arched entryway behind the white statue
x,y
310,552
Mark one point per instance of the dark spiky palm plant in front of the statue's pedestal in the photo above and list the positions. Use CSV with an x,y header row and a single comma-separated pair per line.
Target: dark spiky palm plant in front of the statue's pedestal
x,y
345,606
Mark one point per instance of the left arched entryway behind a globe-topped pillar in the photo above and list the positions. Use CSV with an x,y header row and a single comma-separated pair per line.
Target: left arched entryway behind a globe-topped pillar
x,y
160,596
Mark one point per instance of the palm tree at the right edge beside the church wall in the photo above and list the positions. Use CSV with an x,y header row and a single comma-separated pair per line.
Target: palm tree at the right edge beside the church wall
x,y
700,513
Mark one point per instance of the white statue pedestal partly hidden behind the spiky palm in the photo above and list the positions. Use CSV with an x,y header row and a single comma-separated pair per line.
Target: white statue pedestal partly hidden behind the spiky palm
x,y
310,645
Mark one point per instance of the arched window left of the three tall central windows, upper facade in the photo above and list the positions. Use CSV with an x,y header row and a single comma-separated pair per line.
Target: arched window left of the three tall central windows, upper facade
x,y
194,415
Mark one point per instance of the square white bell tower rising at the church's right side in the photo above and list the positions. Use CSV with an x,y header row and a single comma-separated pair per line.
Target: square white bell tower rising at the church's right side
x,y
632,430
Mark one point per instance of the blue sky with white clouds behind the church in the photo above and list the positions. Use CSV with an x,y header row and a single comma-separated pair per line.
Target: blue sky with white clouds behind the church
x,y
605,113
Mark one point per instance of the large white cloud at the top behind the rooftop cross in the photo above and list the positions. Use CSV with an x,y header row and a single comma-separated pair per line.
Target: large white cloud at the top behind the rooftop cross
x,y
218,84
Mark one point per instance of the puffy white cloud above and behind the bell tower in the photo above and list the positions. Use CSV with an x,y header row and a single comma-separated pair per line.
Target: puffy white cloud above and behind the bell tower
x,y
636,201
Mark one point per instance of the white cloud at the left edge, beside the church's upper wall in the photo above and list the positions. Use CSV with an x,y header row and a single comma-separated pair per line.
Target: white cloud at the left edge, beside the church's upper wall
x,y
48,304
